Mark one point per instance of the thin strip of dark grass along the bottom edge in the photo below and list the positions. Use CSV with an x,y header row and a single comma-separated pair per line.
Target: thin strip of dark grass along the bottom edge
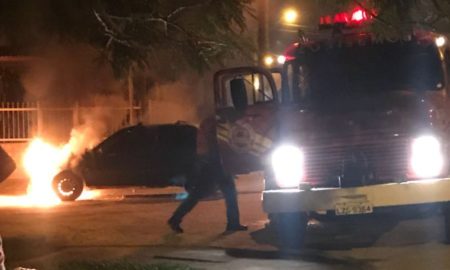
x,y
122,266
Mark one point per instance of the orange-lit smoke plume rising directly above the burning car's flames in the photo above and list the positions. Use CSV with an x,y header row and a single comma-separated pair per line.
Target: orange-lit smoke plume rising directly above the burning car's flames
x,y
81,101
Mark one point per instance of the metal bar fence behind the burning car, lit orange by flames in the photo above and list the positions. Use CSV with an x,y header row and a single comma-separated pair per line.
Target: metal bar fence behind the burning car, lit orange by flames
x,y
22,121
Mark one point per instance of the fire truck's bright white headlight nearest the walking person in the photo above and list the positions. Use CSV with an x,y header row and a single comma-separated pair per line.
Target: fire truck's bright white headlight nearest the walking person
x,y
287,164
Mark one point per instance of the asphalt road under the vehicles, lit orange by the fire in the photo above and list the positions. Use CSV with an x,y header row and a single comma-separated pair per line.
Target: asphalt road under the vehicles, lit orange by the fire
x,y
134,229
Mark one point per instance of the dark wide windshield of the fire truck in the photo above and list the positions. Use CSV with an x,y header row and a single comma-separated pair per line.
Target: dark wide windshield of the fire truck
x,y
328,74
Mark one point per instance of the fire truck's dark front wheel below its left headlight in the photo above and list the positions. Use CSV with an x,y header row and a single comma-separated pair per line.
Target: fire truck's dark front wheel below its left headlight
x,y
290,228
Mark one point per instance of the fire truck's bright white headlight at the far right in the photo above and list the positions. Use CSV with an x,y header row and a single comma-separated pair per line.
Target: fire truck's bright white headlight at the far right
x,y
427,159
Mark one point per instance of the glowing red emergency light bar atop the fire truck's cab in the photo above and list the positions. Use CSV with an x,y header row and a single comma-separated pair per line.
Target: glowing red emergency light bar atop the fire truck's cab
x,y
357,16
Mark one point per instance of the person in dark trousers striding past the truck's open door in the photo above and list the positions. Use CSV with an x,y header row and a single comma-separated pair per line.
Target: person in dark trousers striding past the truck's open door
x,y
206,176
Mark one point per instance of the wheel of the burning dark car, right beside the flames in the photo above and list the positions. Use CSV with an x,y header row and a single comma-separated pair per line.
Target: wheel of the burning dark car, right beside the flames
x,y
67,185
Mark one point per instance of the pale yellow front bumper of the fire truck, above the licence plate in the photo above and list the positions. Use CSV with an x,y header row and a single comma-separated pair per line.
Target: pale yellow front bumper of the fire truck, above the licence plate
x,y
384,195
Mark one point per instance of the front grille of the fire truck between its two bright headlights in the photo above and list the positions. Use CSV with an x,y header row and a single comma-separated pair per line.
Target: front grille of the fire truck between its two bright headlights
x,y
386,155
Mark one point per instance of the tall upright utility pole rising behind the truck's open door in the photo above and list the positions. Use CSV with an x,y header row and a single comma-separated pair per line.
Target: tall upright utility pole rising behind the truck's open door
x,y
263,30
